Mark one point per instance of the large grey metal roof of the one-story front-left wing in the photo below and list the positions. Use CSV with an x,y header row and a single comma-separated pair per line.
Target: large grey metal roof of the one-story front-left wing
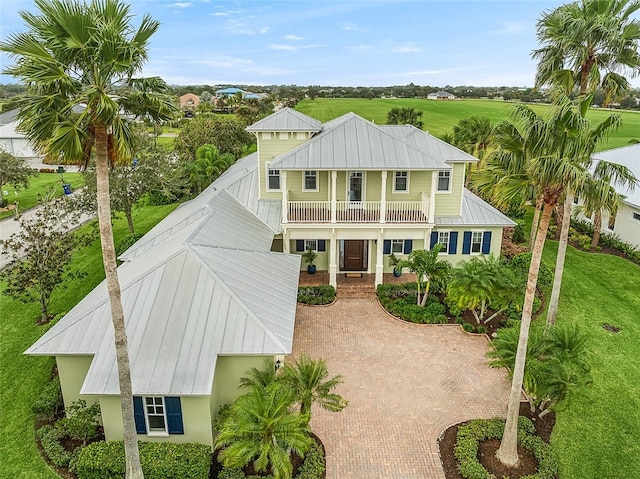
x,y
188,298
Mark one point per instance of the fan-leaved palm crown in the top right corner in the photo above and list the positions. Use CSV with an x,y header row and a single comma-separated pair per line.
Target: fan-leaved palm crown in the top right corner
x,y
589,44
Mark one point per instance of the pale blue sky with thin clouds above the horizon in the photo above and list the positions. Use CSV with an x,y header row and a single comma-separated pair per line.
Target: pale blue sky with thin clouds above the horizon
x,y
334,42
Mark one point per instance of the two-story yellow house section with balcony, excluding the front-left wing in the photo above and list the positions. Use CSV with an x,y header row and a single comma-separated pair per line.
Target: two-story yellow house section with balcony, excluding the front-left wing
x,y
356,192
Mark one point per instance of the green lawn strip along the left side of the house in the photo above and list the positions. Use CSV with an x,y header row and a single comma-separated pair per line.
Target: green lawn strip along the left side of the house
x,y
22,377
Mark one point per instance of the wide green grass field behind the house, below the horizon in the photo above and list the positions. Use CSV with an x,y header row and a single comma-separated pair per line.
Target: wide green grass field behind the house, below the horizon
x,y
439,117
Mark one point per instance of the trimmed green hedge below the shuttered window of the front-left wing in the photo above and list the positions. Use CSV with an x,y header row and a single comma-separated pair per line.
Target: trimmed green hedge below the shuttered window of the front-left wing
x,y
160,460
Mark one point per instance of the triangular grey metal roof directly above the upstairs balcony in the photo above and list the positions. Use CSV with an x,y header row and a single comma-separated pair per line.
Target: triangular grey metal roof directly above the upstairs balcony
x,y
352,143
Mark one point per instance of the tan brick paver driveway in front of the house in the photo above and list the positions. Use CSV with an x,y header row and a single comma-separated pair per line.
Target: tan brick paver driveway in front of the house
x,y
405,384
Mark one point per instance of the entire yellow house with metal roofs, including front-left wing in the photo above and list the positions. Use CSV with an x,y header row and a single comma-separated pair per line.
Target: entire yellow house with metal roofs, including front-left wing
x,y
211,290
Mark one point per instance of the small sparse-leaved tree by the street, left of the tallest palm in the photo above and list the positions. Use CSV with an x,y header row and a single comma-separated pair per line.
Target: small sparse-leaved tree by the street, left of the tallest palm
x,y
40,254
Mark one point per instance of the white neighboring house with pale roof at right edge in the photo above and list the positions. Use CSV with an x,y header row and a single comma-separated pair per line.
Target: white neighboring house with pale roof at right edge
x,y
626,224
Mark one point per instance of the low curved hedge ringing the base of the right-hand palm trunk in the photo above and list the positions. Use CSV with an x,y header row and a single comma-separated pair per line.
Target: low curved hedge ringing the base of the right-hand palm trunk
x,y
474,432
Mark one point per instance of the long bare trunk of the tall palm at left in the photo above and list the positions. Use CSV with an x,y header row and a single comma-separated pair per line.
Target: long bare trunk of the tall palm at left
x,y
132,456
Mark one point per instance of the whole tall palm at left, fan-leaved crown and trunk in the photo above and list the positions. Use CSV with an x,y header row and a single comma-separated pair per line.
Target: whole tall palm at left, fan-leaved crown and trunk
x,y
87,54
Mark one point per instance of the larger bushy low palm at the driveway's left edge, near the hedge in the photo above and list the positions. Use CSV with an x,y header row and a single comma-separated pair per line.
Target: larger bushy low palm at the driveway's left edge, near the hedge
x,y
262,429
